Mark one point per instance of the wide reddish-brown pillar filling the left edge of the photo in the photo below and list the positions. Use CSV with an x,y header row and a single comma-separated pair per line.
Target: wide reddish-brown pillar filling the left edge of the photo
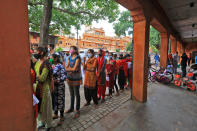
x,y
15,81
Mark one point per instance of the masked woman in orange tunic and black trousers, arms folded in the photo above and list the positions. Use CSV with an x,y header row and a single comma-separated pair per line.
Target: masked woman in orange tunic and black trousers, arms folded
x,y
90,88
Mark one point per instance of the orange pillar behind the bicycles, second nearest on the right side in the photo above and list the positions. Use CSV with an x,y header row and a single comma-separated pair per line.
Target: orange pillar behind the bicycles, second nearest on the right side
x,y
164,49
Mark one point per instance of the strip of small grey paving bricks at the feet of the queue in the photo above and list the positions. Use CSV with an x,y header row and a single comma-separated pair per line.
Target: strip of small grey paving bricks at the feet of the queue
x,y
89,115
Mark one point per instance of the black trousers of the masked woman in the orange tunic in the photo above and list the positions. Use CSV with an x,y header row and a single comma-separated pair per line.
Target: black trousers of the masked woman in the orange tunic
x,y
91,94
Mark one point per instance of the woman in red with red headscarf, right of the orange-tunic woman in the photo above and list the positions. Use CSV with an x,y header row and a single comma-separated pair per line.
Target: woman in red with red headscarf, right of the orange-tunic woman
x,y
101,75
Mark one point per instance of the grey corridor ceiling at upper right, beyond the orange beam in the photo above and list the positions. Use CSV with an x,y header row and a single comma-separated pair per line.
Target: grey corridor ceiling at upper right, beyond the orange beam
x,y
183,16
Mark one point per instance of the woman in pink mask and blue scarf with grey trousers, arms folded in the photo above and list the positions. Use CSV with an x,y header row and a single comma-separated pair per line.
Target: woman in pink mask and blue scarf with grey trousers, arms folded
x,y
74,79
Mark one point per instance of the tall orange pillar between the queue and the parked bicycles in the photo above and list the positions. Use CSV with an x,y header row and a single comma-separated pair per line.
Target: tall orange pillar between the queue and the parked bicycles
x,y
140,61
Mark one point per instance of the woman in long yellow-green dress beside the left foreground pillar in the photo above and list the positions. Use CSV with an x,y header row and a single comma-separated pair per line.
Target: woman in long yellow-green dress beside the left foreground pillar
x,y
44,77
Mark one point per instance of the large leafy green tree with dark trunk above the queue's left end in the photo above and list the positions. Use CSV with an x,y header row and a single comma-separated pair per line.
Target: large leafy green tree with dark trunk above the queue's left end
x,y
68,13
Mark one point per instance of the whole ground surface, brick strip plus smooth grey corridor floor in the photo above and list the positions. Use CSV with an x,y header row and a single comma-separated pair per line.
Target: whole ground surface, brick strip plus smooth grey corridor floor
x,y
168,109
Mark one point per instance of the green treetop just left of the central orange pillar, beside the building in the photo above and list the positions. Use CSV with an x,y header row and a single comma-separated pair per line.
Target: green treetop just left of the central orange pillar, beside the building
x,y
124,25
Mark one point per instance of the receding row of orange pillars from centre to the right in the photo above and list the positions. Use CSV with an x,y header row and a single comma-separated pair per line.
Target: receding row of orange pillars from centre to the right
x,y
140,56
